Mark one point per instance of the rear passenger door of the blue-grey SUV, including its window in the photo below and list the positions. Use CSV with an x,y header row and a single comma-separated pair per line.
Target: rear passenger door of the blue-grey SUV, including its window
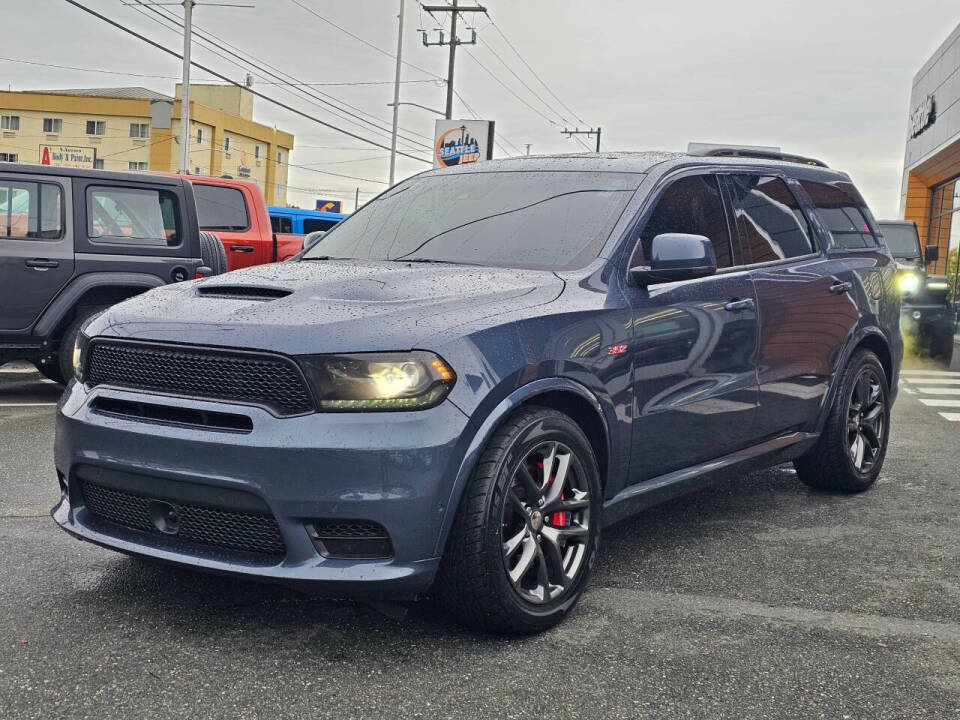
x,y
806,308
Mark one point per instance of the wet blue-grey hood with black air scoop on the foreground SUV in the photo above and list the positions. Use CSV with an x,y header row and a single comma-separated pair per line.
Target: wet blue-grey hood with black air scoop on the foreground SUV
x,y
328,306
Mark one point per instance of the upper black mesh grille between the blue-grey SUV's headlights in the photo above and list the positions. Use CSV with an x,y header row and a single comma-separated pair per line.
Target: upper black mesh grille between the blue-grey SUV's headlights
x,y
246,377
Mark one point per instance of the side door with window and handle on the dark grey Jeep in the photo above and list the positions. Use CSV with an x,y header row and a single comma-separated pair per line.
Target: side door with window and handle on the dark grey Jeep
x,y
36,246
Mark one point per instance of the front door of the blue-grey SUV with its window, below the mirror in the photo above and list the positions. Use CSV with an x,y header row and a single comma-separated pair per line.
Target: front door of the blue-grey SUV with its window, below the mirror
x,y
694,342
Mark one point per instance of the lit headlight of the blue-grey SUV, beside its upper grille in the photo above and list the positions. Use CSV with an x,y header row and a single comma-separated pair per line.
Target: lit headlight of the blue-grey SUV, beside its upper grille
x,y
378,381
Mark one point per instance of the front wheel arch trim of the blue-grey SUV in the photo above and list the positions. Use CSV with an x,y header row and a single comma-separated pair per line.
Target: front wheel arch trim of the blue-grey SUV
x,y
559,393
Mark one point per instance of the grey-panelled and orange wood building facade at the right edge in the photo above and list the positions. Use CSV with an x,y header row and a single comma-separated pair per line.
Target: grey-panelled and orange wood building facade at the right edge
x,y
930,191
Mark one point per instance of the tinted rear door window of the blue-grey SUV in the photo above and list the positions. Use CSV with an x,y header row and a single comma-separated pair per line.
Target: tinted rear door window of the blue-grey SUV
x,y
771,223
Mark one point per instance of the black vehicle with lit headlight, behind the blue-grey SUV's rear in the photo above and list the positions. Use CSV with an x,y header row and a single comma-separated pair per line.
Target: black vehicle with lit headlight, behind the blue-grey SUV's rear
x,y
928,317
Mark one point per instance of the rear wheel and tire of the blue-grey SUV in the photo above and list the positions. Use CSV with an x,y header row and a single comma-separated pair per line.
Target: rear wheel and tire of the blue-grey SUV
x,y
849,455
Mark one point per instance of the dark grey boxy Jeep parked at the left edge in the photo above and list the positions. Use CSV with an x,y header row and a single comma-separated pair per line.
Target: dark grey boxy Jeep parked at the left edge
x,y
73,242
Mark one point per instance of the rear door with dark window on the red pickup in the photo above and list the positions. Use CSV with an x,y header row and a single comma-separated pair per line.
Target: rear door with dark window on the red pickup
x,y
226,211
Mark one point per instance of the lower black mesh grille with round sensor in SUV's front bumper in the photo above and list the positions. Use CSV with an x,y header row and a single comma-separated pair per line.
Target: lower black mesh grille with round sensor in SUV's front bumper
x,y
198,524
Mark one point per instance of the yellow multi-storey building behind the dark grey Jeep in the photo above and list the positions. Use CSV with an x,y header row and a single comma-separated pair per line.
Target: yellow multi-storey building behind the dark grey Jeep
x,y
111,128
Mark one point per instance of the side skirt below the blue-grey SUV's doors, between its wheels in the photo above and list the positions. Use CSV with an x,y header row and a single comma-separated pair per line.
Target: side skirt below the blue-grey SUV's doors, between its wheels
x,y
657,490
